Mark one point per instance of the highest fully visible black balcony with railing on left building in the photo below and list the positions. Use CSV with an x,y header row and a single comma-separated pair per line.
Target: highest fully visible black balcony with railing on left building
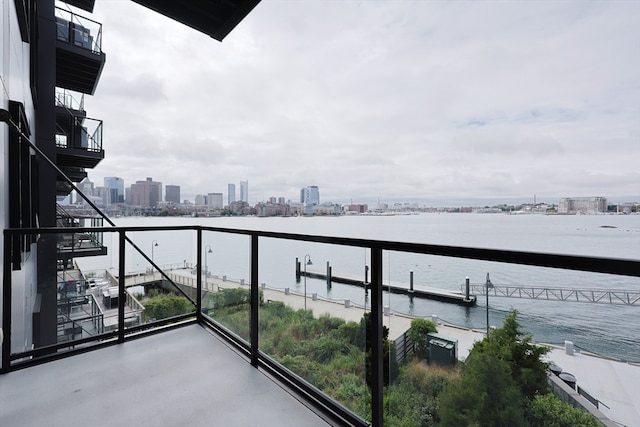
x,y
79,56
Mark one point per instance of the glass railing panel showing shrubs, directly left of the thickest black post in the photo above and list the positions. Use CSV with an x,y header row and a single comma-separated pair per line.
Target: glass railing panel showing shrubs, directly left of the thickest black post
x,y
312,319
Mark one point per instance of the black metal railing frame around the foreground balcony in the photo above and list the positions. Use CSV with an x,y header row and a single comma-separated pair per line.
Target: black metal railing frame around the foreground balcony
x,y
625,267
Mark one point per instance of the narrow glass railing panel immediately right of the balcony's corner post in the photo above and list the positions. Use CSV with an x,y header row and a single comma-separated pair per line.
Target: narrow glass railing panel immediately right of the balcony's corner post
x,y
226,277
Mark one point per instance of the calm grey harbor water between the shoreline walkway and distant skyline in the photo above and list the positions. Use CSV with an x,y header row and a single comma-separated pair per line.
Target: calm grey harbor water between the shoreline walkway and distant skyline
x,y
606,329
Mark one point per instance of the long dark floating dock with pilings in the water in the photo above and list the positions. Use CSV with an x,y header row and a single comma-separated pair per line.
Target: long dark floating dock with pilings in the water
x,y
408,289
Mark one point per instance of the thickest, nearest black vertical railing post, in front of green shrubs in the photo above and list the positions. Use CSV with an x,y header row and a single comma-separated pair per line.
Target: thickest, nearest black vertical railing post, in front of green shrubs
x,y
377,352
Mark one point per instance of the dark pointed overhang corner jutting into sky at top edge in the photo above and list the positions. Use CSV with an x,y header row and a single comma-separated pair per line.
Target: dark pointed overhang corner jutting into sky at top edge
x,y
216,18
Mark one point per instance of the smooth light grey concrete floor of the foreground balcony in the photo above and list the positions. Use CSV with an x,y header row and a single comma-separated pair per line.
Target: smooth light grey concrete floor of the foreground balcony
x,y
181,377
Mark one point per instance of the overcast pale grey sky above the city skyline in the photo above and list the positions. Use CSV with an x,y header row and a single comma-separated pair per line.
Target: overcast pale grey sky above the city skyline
x,y
378,100
